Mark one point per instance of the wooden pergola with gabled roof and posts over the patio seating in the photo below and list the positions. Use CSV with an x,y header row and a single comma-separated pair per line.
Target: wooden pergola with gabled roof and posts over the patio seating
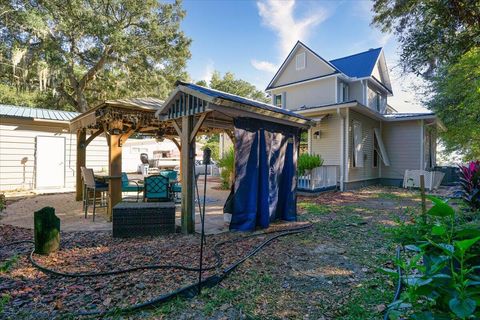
x,y
189,110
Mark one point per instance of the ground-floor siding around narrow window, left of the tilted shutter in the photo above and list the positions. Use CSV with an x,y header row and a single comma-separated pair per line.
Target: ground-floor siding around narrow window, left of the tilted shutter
x,y
367,171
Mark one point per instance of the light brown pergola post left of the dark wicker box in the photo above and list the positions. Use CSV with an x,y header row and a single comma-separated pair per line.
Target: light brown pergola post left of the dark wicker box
x,y
114,171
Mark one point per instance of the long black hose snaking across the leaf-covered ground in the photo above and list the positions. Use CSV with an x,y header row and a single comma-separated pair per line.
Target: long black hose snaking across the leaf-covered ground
x,y
187,291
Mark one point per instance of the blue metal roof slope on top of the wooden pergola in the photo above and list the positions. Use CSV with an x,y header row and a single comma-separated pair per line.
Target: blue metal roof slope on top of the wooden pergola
x,y
231,97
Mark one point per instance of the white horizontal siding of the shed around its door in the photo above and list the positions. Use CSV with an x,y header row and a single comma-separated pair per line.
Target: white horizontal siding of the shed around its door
x,y
17,142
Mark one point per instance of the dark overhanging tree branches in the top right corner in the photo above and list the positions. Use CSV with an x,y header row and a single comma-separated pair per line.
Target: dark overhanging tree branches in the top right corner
x,y
432,33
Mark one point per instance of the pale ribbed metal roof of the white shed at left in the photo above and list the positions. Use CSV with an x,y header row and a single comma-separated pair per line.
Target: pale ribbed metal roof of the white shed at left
x,y
35,113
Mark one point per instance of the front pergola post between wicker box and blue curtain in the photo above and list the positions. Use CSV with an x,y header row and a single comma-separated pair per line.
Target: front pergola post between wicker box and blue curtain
x,y
187,163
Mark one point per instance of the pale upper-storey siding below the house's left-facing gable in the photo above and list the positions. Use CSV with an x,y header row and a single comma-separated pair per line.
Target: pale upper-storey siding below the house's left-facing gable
x,y
311,94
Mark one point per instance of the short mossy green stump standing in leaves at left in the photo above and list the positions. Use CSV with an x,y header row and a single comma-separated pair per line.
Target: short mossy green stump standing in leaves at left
x,y
46,231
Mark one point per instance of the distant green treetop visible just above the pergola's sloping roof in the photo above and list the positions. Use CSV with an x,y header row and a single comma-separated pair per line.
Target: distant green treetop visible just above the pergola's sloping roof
x,y
228,83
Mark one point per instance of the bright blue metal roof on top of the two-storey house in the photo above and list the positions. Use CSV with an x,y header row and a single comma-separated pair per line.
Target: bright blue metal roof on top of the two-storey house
x,y
359,65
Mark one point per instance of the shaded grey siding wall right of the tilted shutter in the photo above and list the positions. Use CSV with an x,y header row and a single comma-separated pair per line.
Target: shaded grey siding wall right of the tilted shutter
x,y
403,142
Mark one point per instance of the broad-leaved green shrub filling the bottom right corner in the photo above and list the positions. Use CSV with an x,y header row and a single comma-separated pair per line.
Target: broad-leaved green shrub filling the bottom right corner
x,y
441,272
